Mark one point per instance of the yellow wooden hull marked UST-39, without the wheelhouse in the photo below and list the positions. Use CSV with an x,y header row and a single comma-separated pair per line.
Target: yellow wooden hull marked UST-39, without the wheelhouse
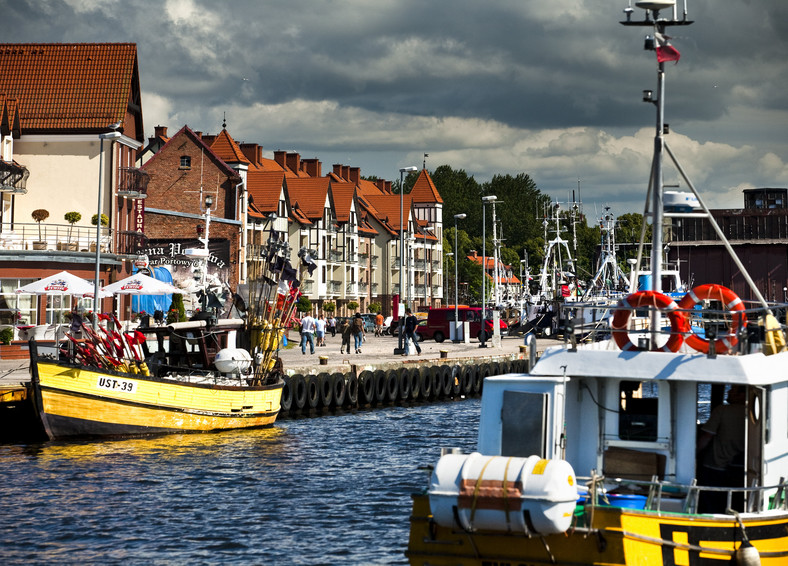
x,y
83,402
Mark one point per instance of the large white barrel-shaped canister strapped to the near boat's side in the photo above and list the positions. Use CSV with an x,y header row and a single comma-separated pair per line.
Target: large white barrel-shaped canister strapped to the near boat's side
x,y
498,493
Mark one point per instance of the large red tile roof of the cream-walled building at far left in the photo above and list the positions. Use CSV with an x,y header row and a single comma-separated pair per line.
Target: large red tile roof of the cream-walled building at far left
x,y
70,86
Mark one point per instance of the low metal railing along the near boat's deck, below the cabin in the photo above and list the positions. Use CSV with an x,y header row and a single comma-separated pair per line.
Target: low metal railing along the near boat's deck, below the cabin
x,y
670,497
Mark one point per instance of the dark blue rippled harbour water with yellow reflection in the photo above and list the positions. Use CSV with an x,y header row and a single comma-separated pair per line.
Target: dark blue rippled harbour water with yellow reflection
x,y
328,490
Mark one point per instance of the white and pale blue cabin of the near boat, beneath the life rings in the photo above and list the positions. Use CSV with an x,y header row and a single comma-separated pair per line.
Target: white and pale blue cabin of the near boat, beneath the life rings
x,y
635,415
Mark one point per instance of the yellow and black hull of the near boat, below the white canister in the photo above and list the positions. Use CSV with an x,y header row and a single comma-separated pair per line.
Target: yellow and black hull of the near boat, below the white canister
x,y
613,536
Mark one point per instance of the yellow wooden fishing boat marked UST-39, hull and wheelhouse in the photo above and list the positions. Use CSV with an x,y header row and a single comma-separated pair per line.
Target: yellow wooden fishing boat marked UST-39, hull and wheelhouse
x,y
196,381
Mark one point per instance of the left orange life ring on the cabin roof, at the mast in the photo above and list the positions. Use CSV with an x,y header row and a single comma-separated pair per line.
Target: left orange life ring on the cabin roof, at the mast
x,y
678,323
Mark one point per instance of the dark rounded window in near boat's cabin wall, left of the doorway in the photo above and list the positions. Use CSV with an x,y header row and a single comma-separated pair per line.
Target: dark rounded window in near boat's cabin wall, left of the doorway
x,y
638,410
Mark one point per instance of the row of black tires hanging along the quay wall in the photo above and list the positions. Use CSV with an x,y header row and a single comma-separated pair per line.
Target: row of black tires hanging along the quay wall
x,y
304,393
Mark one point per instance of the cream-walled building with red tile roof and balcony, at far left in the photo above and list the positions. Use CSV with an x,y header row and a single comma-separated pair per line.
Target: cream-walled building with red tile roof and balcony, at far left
x,y
58,99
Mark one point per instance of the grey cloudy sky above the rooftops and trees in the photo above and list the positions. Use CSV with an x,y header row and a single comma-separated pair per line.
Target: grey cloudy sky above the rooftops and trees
x,y
551,88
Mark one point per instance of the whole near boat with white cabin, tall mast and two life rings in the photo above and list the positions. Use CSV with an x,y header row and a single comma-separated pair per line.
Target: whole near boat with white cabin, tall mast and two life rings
x,y
597,455
